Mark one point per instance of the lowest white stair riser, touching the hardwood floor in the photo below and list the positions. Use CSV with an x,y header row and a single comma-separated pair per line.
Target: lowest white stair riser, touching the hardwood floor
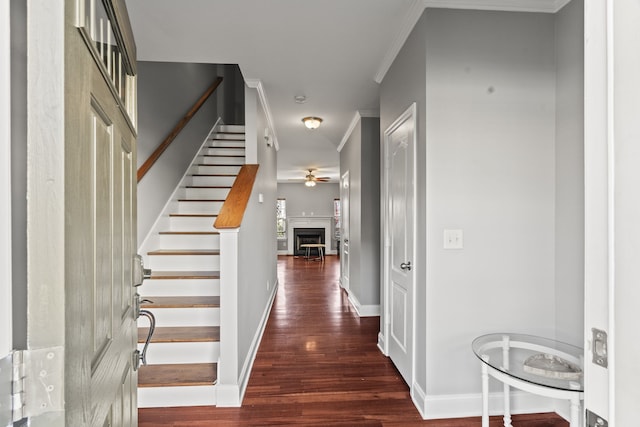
x,y
164,397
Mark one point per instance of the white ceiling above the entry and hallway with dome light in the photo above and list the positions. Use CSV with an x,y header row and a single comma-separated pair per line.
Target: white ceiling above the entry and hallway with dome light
x,y
329,50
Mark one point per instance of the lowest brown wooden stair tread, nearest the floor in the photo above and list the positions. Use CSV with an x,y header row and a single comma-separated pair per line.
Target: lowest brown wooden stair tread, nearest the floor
x,y
176,375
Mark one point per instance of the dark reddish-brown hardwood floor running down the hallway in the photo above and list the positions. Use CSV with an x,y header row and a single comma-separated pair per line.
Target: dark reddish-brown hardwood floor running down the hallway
x,y
318,364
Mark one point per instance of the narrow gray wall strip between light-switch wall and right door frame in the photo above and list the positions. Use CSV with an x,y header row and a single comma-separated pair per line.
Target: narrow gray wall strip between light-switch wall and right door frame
x,y
569,246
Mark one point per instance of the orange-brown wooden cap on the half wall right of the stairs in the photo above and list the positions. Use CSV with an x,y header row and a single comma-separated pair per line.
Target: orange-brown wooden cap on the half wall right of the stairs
x,y
233,209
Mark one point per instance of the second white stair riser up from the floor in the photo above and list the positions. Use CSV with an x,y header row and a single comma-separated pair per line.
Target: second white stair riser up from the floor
x,y
182,352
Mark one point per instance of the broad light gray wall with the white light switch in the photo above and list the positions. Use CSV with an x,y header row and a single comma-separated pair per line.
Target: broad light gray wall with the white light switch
x,y
490,172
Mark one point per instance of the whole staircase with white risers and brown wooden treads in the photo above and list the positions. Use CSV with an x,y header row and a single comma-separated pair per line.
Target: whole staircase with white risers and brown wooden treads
x,y
184,287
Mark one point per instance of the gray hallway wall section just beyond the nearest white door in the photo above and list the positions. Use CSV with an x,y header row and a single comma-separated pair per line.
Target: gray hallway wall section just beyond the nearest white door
x,y
360,156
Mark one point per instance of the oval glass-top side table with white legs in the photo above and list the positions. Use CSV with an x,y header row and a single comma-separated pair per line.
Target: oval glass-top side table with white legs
x,y
534,364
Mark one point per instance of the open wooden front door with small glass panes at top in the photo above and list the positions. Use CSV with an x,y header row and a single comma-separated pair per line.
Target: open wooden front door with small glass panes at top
x,y
82,205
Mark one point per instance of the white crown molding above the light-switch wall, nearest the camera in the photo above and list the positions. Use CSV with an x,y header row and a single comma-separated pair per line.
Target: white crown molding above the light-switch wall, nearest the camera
x,y
418,6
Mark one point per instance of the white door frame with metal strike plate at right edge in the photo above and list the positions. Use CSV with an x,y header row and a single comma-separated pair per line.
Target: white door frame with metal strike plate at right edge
x,y
612,235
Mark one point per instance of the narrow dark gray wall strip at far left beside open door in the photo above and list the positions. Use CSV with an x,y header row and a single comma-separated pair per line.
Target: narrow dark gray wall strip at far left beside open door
x,y
19,170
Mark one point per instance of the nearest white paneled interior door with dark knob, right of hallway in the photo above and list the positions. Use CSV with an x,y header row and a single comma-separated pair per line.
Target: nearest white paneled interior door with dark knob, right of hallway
x,y
399,141
